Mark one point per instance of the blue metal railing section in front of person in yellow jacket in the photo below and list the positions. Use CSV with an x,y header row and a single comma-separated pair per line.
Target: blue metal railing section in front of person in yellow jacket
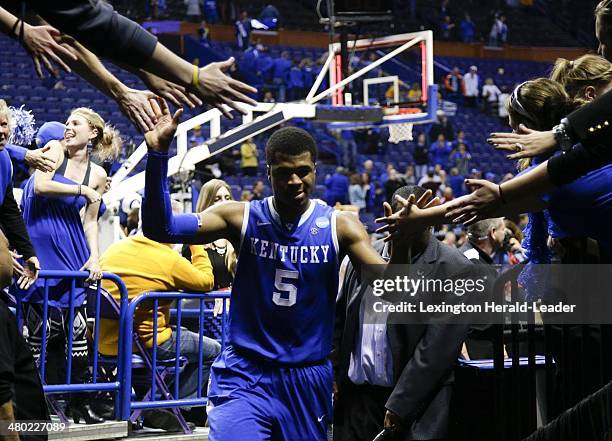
x,y
128,404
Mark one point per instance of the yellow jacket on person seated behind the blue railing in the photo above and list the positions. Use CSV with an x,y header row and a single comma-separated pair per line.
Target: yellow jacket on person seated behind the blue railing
x,y
145,265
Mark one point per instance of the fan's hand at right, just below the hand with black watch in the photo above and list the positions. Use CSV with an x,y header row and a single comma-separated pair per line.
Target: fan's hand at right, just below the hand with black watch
x,y
478,205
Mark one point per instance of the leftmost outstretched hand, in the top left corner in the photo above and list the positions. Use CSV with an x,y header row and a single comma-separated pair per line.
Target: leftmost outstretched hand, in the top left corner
x,y
40,43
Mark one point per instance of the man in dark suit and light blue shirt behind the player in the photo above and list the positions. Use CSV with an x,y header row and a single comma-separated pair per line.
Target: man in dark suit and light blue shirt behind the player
x,y
391,374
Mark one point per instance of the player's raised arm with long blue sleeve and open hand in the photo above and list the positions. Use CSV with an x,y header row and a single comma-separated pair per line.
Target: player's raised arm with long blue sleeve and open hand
x,y
158,221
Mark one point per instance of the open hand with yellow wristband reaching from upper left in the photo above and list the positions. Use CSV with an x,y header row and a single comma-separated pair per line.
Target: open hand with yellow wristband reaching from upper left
x,y
217,88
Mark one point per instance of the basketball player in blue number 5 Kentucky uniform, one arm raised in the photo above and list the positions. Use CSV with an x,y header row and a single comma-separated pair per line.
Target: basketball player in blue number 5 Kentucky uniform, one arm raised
x,y
273,381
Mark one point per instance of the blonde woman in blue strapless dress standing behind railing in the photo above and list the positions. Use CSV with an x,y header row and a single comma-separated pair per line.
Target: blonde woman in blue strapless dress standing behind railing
x,y
60,209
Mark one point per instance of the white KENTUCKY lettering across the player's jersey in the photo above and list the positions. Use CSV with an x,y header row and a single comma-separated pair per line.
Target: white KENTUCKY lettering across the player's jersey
x,y
294,254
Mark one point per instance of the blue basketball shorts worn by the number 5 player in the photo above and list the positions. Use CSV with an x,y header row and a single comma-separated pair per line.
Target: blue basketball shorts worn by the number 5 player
x,y
253,400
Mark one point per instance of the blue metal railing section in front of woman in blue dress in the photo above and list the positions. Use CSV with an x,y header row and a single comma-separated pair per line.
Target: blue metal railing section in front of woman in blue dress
x,y
69,386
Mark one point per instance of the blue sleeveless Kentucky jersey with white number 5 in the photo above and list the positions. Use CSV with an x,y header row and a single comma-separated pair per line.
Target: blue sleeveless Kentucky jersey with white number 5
x,y
286,282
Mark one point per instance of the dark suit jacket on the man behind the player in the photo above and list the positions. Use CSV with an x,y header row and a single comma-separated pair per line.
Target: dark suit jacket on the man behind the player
x,y
423,355
